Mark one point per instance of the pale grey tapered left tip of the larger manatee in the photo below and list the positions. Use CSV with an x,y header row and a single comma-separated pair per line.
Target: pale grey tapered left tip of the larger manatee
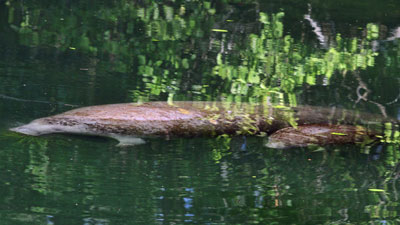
x,y
35,128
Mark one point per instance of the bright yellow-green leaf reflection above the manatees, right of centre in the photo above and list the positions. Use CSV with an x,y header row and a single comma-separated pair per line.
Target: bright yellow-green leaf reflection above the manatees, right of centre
x,y
271,63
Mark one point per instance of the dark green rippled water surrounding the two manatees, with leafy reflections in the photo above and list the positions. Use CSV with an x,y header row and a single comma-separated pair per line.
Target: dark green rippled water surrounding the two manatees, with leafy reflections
x,y
55,56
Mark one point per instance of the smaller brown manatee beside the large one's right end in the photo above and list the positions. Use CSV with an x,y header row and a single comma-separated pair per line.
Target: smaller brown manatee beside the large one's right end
x,y
320,135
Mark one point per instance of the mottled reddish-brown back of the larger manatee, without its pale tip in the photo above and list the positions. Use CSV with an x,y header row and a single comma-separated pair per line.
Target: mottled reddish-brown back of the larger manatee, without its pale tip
x,y
163,119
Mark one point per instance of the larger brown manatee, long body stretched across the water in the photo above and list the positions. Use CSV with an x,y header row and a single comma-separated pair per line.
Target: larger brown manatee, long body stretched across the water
x,y
129,121
